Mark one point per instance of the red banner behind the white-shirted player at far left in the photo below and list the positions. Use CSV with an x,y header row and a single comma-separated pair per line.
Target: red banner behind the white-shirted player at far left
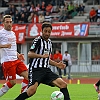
x,y
20,31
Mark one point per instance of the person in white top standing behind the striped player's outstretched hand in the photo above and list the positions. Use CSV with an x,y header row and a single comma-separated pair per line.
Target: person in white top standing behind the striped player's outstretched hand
x,y
67,58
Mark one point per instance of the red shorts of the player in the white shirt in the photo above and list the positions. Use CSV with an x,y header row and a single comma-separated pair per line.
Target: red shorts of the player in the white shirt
x,y
11,68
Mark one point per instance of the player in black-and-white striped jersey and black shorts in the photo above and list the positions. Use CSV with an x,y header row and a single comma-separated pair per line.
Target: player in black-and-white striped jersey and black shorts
x,y
39,71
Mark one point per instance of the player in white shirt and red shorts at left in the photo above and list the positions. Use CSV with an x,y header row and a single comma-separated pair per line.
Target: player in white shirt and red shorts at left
x,y
11,60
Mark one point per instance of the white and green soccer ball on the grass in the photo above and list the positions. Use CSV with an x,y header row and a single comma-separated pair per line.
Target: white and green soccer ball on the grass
x,y
57,95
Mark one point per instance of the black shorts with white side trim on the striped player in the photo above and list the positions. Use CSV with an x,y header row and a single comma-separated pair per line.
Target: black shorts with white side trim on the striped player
x,y
42,75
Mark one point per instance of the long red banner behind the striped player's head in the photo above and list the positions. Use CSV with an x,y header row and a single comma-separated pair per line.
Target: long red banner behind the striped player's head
x,y
61,29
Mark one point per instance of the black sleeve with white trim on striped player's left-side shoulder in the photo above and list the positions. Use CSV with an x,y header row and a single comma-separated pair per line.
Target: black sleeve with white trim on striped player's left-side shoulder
x,y
35,44
